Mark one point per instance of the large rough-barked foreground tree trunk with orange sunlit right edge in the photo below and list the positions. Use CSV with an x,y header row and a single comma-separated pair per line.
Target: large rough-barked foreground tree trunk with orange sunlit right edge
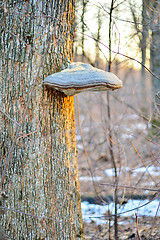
x,y
40,188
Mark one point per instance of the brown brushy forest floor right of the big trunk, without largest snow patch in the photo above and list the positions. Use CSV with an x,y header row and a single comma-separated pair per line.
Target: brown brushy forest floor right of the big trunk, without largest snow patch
x,y
136,149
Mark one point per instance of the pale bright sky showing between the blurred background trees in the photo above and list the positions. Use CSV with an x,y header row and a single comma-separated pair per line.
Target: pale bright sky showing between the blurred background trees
x,y
122,29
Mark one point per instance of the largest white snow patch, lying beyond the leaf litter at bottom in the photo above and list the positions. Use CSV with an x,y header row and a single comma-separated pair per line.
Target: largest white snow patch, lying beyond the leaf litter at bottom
x,y
96,213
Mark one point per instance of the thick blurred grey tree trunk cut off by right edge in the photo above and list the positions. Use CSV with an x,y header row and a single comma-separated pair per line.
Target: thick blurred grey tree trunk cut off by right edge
x,y
155,49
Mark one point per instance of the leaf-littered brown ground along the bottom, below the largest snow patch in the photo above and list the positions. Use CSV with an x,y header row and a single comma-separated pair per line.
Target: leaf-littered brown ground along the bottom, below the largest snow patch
x,y
148,228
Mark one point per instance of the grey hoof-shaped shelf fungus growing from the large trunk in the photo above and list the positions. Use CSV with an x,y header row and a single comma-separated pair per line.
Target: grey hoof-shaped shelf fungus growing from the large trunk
x,y
81,77
